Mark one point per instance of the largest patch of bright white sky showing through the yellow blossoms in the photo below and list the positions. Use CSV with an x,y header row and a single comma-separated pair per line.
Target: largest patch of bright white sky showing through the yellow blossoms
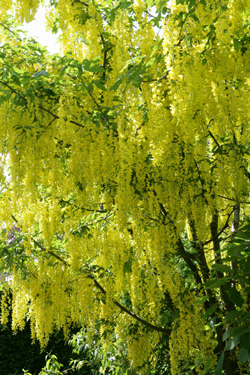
x,y
37,30
